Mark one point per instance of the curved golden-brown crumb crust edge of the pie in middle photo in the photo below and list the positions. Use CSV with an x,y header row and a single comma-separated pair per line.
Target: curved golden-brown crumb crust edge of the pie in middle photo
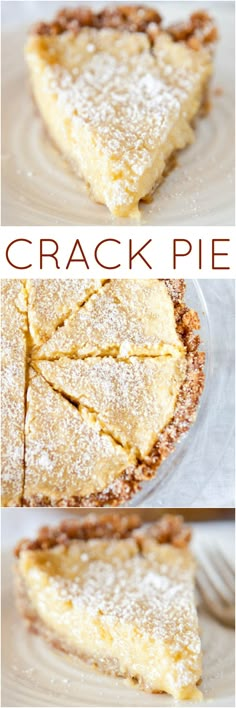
x,y
129,482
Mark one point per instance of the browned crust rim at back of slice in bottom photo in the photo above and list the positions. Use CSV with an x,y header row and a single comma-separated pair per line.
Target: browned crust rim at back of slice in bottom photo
x,y
168,529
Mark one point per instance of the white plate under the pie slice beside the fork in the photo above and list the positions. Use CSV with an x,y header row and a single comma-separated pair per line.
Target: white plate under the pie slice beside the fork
x,y
35,675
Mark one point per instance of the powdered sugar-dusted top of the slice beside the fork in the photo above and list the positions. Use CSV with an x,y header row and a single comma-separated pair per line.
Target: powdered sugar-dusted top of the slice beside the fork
x,y
150,592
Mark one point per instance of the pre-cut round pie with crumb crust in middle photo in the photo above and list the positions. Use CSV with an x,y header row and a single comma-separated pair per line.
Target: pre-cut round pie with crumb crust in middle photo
x,y
100,380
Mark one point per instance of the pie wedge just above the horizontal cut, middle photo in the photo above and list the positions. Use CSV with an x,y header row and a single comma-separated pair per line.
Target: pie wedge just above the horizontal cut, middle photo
x,y
125,318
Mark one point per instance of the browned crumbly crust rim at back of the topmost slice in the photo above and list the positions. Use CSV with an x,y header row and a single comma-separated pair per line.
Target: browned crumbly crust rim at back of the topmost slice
x,y
199,29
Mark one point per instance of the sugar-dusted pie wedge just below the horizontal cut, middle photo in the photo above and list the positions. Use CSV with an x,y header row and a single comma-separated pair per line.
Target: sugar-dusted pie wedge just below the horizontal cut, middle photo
x,y
104,385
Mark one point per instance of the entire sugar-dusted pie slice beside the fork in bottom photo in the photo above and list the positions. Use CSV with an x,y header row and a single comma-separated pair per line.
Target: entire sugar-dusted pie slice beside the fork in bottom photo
x,y
117,595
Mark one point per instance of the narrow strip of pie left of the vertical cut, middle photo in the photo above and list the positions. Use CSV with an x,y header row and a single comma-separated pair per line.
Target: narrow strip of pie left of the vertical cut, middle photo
x,y
13,387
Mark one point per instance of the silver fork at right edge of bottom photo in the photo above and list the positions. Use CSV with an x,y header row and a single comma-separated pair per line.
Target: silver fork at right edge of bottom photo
x,y
216,583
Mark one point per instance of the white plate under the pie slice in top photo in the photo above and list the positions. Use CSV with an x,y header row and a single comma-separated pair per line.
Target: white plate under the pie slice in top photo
x,y
39,188
